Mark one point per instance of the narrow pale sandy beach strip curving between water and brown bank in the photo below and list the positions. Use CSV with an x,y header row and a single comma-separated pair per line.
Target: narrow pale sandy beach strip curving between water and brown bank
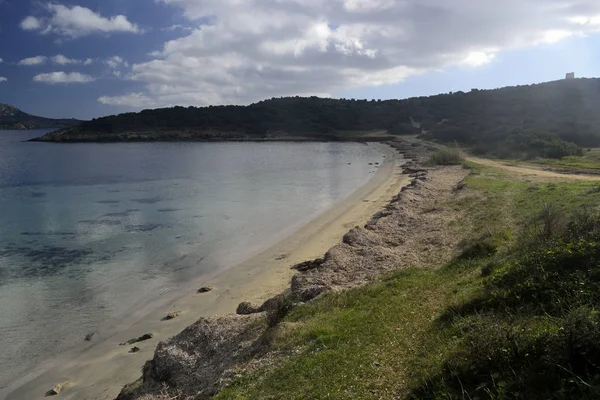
x,y
102,369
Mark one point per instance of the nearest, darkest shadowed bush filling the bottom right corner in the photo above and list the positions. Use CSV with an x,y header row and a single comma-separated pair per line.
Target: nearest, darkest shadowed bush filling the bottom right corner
x,y
524,361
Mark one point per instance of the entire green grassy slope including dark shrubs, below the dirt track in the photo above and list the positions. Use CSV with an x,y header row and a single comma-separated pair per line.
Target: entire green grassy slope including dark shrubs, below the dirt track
x,y
511,317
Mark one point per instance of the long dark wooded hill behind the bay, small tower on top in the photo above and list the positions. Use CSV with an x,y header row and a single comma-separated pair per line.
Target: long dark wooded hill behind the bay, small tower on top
x,y
549,119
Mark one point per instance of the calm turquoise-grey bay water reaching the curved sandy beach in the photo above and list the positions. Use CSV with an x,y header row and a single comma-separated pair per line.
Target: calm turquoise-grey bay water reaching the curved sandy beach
x,y
89,231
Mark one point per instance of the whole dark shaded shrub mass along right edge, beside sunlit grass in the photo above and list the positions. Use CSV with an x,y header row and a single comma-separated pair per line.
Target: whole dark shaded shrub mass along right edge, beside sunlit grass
x,y
534,332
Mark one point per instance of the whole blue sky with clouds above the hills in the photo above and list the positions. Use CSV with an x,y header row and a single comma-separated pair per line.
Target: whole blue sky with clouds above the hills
x,y
90,58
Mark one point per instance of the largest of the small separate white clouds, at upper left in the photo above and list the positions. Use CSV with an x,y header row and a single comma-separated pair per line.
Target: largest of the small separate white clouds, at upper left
x,y
77,21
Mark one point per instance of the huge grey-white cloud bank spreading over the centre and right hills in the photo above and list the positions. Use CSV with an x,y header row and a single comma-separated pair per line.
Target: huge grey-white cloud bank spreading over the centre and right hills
x,y
243,51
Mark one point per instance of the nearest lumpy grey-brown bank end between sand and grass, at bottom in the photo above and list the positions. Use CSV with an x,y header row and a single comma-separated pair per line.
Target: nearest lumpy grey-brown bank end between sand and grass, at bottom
x,y
194,363
